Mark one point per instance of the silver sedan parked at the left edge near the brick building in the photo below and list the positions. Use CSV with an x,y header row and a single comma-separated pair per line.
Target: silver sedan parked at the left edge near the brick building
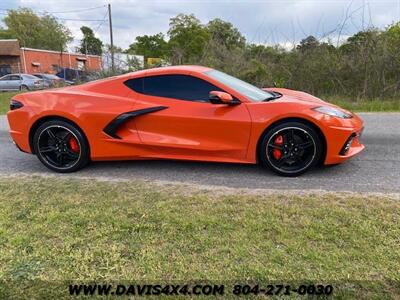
x,y
15,82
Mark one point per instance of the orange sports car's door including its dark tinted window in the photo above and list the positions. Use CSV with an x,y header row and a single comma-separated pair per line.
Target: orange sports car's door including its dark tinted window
x,y
189,125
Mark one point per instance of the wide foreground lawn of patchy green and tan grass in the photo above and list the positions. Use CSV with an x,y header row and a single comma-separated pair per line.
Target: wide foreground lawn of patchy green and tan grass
x,y
55,230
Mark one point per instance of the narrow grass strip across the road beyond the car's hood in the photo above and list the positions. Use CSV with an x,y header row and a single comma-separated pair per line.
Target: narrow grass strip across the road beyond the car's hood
x,y
365,105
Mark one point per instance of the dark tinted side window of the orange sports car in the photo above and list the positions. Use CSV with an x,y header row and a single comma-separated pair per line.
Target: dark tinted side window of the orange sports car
x,y
183,87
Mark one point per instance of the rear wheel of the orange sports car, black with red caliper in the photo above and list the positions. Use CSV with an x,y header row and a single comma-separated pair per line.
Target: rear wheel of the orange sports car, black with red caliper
x,y
61,146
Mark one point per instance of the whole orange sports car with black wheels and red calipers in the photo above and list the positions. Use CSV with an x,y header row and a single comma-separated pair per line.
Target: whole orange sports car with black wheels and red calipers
x,y
182,112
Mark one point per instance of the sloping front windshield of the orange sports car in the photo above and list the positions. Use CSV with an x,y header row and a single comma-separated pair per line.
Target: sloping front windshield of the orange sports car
x,y
246,89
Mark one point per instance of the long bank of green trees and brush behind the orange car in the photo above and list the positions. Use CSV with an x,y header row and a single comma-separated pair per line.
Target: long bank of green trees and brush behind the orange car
x,y
365,66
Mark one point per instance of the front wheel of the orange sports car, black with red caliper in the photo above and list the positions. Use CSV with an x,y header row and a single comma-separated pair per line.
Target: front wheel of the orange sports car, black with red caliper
x,y
290,148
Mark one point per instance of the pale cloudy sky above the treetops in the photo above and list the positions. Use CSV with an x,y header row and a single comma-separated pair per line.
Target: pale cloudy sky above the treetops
x,y
262,22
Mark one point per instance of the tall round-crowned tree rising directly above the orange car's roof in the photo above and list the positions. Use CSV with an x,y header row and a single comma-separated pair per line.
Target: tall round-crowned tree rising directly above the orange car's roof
x,y
187,38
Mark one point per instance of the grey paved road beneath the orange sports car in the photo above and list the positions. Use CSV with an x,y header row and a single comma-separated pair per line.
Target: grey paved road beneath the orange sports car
x,y
377,169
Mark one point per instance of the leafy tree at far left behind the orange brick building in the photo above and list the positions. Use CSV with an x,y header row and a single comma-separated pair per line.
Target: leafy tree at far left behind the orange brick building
x,y
36,32
